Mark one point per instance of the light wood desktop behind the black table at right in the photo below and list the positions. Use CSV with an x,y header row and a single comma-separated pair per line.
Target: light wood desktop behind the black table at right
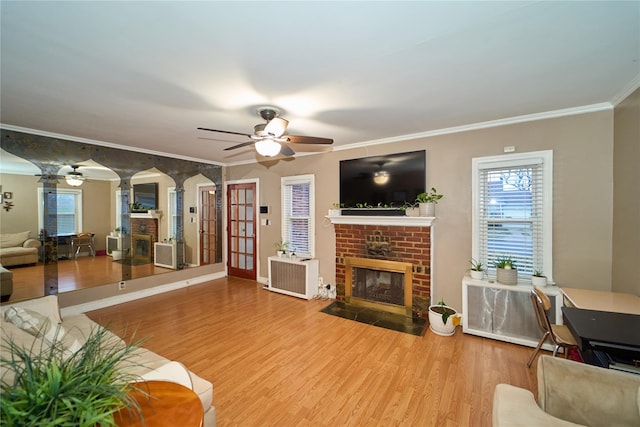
x,y
602,300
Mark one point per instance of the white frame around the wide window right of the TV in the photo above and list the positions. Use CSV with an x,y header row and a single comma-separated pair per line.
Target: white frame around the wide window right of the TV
x,y
545,158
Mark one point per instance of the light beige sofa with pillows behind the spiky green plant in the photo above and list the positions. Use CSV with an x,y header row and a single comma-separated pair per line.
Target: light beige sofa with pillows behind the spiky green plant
x,y
147,365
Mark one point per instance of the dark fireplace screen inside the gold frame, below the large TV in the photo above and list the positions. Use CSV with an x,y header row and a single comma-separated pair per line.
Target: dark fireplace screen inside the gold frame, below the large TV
x,y
379,286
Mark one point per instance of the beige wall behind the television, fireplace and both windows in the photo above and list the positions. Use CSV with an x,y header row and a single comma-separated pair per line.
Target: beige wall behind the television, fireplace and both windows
x,y
583,163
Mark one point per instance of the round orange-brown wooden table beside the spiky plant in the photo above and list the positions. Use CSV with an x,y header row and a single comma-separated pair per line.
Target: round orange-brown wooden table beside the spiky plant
x,y
170,404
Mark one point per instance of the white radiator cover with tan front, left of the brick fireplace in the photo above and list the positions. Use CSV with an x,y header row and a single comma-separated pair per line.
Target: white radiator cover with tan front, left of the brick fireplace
x,y
294,277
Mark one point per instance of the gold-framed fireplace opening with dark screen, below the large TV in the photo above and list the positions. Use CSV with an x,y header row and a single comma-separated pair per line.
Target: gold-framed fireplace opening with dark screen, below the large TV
x,y
380,284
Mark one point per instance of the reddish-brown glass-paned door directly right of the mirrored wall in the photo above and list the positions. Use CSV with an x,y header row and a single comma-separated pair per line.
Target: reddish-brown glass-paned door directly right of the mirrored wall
x,y
241,230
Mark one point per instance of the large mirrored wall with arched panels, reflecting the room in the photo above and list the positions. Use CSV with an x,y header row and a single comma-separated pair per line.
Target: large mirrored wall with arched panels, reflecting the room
x,y
123,241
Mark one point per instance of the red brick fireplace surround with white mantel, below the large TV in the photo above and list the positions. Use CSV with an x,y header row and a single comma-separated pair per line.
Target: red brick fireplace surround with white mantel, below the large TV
x,y
396,239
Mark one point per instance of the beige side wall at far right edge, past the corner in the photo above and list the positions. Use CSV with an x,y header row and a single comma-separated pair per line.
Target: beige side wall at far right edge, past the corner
x,y
626,196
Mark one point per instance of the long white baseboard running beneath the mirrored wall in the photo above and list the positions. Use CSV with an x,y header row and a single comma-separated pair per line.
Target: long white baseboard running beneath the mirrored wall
x,y
107,302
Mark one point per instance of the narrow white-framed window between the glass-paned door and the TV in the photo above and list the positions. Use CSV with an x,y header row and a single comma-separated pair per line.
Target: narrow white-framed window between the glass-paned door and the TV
x,y
297,214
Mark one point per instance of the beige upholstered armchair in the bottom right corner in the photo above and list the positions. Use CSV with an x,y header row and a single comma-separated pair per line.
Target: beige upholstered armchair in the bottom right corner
x,y
570,394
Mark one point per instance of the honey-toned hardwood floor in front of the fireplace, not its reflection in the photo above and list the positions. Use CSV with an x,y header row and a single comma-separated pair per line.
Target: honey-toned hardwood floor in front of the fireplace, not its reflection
x,y
277,360
